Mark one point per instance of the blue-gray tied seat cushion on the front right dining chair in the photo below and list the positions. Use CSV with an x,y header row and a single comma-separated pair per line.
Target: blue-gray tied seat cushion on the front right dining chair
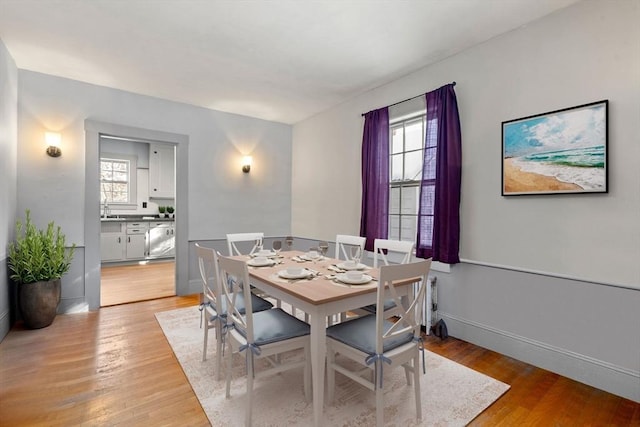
x,y
360,333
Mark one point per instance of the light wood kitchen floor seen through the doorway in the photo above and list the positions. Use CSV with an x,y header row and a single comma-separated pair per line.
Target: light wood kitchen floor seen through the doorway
x,y
121,284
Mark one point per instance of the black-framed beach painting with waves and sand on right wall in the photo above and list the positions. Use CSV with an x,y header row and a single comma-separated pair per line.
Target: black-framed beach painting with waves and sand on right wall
x,y
562,151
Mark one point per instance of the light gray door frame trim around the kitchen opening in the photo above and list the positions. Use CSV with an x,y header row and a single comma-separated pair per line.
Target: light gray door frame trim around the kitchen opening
x,y
93,129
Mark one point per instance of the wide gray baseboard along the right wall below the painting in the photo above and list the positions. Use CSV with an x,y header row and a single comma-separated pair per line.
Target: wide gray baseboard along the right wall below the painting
x,y
596,373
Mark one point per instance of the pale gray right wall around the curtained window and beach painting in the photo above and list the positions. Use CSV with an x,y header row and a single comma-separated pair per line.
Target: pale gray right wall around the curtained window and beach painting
x,y
553,280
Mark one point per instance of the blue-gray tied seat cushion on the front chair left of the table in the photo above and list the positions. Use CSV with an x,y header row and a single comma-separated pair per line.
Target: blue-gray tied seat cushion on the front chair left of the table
x,y
275,325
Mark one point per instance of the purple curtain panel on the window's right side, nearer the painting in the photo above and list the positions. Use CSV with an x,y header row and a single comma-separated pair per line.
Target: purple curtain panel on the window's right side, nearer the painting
x,y
439,212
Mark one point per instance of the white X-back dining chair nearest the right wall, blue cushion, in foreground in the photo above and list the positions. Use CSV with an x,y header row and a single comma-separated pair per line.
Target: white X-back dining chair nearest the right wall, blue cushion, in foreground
x,y
373,341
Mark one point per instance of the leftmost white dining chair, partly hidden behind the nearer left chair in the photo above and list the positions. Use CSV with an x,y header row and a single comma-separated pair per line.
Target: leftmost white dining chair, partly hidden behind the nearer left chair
x,y
213,308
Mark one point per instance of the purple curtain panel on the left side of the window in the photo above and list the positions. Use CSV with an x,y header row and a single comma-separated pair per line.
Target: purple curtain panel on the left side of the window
x,y
375,177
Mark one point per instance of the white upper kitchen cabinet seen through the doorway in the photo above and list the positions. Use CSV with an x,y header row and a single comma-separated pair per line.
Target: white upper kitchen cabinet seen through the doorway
x,y
162,171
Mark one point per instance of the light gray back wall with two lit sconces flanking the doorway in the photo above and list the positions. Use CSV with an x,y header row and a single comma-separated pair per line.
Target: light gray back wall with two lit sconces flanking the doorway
x,y
221,199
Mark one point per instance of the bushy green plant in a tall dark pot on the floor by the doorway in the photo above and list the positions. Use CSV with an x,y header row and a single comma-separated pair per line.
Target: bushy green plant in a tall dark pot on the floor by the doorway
x,y
37,261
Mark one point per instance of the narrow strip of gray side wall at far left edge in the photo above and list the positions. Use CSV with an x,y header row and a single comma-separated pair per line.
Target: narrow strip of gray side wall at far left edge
x,y
8,175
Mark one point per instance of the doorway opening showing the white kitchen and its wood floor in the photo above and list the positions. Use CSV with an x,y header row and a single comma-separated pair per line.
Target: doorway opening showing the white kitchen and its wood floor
x,y
137,242
